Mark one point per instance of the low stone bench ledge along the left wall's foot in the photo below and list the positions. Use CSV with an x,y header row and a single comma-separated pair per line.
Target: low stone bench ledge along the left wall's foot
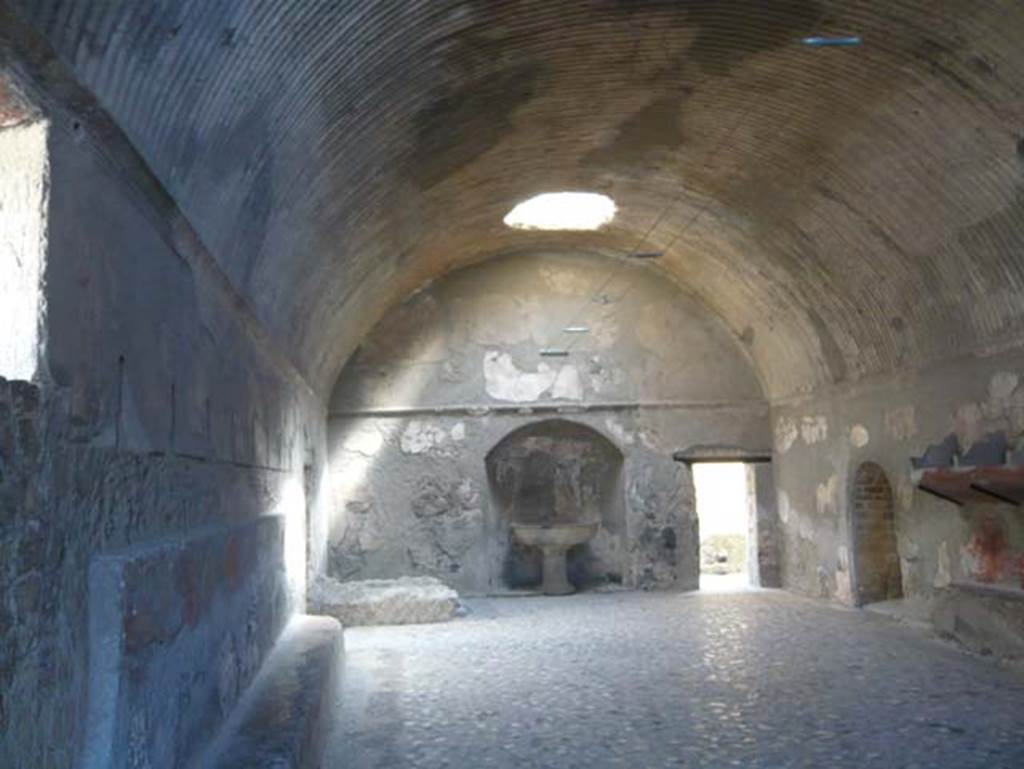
x,y
281,722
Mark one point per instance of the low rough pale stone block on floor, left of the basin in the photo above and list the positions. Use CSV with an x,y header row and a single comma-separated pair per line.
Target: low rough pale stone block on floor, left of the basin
x,y
409,601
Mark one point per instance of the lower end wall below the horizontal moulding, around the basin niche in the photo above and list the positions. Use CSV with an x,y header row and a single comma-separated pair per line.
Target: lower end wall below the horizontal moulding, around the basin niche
x,y
432,512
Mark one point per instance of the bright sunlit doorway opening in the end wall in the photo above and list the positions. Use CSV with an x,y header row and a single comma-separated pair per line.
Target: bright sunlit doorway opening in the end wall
x,y
723,501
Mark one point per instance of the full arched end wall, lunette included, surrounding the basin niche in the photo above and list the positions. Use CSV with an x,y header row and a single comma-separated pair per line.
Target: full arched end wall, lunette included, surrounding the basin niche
x,y
457,368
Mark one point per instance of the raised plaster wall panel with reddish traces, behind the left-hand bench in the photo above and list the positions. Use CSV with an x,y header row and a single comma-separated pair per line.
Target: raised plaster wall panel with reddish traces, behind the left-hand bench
x,y
178,632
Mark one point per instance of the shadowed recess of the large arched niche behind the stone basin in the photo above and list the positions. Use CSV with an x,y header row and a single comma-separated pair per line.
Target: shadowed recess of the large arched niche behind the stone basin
x,y
558,472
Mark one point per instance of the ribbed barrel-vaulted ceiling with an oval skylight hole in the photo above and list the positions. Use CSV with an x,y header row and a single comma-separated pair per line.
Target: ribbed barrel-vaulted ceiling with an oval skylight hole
x,y
847,212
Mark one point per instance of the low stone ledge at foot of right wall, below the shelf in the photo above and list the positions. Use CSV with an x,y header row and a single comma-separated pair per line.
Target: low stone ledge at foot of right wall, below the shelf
x,y
988,621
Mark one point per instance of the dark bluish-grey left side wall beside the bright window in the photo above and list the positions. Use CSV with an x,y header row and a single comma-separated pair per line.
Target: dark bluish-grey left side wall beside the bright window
x,y
141,430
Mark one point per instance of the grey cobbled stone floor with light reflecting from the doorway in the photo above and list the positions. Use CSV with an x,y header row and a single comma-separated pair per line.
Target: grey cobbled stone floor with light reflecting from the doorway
x,y
758,679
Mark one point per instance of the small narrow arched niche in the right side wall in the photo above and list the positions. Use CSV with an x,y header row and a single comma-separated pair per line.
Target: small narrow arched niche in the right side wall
x,y
877,567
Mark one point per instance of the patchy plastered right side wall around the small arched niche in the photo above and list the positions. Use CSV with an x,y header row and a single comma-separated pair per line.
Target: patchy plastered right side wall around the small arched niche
x,y
821,442
